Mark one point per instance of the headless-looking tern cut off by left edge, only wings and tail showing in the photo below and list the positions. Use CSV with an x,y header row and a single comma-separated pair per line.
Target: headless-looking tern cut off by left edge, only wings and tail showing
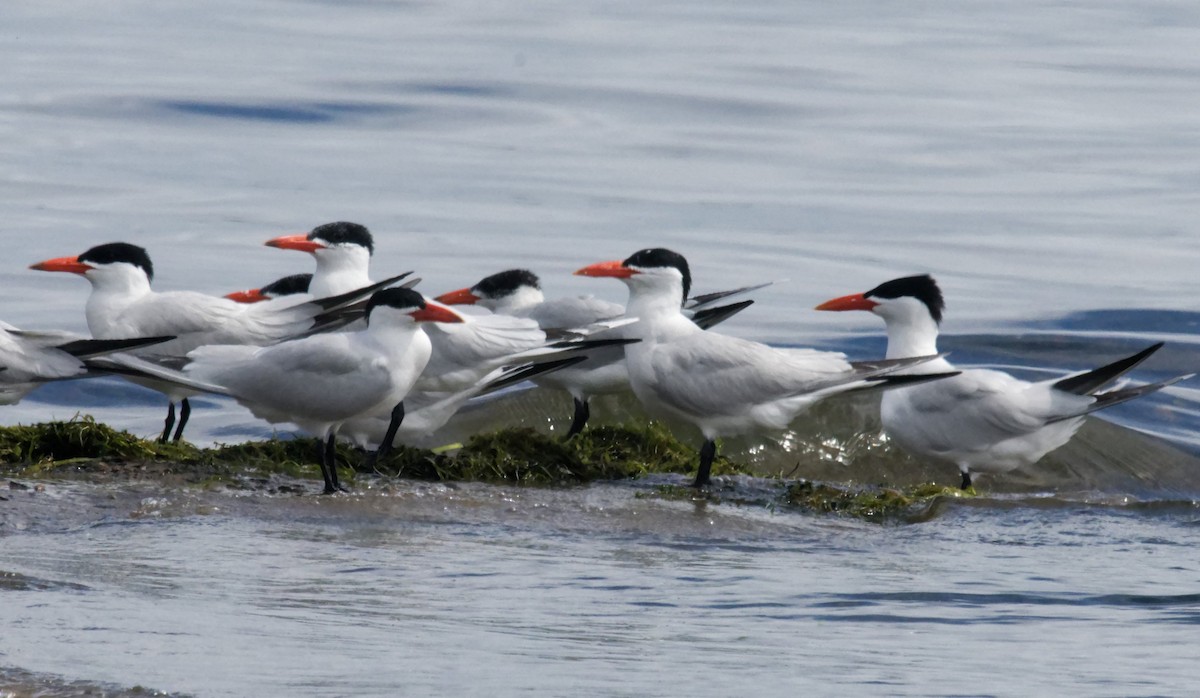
x,y
29,359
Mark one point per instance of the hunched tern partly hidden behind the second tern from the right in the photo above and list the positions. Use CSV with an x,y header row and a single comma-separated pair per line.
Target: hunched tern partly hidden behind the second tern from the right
x,y
518,293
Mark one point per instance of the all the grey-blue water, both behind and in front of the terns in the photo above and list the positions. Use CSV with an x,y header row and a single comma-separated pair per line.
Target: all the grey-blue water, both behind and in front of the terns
x,y
1039,159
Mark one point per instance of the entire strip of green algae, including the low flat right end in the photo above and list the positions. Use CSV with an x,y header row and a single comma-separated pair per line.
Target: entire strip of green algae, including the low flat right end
x,y
517,456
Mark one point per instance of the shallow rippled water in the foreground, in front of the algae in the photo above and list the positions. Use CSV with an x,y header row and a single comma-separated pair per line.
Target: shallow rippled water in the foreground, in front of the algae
x,y
472,589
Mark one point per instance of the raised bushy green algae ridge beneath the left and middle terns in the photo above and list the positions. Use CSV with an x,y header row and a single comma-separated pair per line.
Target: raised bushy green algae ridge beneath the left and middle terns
x,y
520,456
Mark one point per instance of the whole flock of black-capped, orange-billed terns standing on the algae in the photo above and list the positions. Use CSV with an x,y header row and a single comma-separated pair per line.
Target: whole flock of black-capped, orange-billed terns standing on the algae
x,y
379,364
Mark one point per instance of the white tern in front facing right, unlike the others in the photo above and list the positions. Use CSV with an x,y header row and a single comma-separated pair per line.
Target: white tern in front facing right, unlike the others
x,y
322,382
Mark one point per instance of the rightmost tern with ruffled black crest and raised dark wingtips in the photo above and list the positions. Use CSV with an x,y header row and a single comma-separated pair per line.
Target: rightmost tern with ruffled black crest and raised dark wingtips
x,y
981,420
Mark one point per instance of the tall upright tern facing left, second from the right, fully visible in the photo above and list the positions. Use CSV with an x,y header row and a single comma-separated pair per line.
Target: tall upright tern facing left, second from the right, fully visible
x,y
724,386
